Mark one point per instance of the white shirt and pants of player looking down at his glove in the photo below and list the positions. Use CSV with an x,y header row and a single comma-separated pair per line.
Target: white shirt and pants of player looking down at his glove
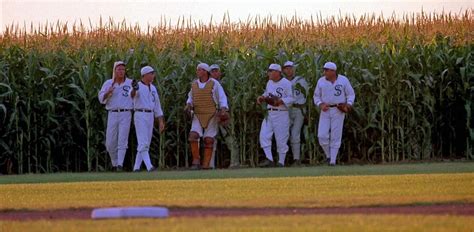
x,y
277,120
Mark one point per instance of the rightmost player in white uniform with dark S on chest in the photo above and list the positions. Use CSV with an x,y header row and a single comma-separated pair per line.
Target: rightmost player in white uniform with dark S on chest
x,y
335,96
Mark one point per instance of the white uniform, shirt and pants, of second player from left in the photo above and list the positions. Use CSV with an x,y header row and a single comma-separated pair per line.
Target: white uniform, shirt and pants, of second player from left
x,y
147,107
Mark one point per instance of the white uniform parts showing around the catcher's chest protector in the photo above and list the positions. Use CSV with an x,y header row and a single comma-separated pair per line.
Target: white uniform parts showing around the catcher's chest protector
x,y
220,99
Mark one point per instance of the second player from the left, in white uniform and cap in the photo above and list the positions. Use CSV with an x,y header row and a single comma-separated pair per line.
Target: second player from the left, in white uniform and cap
x,y
147,108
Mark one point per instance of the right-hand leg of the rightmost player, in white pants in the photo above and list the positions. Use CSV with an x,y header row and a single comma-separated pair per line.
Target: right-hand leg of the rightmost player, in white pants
x,y
337,123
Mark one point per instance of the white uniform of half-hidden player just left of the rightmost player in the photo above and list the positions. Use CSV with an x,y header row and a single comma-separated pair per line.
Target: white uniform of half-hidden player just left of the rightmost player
x,y
297,114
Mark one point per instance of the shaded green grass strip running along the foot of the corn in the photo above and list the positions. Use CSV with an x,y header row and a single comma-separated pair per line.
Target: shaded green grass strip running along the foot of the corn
x,y
391,169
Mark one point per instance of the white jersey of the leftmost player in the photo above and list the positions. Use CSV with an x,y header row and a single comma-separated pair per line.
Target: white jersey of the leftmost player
x,y
120,98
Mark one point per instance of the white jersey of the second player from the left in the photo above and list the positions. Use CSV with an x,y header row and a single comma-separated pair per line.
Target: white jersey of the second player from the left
x,y
147,98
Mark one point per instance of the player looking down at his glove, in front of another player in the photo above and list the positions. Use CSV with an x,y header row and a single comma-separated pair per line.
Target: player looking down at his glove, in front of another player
x,y
279,96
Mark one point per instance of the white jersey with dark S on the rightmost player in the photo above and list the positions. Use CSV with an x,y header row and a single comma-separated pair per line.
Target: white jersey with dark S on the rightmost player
x,y
330,93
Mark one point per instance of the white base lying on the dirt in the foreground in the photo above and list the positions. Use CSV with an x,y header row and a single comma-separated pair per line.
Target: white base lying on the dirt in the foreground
x,y
130,212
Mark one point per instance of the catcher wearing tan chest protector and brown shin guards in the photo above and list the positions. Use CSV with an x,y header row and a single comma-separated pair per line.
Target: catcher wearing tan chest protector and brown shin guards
x,y
206,103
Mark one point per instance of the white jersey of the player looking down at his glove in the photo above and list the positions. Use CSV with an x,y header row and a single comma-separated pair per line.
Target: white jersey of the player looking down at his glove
x,y
283,90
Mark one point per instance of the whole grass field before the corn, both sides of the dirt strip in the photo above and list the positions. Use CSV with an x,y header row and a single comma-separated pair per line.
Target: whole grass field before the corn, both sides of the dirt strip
x,y
321,186
